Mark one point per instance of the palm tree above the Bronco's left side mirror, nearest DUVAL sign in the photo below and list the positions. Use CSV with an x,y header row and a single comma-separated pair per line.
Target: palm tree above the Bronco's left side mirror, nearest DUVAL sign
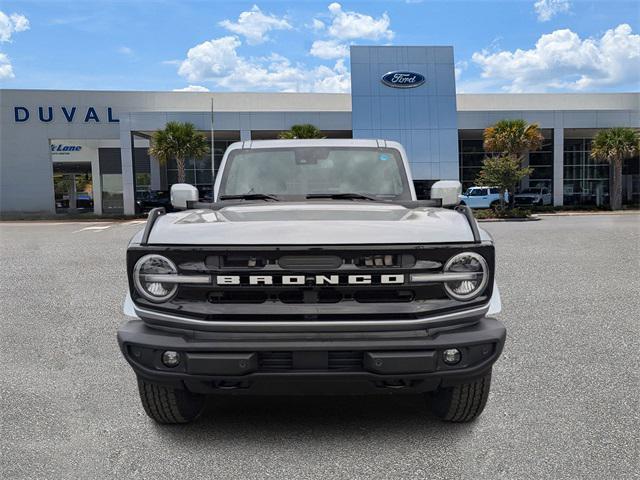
x,y
180,141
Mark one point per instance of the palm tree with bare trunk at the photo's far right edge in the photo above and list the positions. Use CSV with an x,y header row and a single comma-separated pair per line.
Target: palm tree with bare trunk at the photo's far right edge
x,y
614,146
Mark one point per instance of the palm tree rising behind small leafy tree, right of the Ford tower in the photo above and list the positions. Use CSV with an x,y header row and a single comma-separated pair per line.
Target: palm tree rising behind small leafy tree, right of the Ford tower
x,y
514,139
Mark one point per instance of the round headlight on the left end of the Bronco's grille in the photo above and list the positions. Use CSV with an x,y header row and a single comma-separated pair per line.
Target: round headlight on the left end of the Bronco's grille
x,y
143,273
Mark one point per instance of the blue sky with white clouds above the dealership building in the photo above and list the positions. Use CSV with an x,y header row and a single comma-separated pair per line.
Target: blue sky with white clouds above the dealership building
x,y
162,45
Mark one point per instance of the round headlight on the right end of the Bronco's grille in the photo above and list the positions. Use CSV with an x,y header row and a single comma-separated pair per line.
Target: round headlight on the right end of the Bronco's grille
x,y
467,263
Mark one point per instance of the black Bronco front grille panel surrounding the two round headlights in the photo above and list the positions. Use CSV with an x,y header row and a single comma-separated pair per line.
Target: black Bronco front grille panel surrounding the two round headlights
x,y
249,283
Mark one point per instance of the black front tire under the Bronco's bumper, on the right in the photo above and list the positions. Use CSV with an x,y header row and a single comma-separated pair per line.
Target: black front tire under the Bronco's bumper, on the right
x,y
462,403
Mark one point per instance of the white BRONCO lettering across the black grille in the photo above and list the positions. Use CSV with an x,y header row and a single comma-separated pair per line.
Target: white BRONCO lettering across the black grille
x,y
310,279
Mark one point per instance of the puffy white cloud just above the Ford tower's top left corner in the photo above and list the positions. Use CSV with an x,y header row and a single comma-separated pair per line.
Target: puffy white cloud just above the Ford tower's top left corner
x,y
347,25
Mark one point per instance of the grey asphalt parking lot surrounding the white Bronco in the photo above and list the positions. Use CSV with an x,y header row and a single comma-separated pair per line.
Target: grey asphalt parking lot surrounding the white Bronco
x,y
564,400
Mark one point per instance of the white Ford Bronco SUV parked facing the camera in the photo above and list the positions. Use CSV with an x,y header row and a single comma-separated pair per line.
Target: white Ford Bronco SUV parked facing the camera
x,y
315,270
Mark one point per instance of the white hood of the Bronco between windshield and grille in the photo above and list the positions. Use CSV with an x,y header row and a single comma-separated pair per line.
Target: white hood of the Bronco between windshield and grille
x,y
319,223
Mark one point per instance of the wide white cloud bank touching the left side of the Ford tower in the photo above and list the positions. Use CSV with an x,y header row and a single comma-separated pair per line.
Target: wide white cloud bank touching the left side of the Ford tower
x,y
217,61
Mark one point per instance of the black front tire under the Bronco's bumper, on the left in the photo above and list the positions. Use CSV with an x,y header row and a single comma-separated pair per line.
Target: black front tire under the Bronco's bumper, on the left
x,y
169,405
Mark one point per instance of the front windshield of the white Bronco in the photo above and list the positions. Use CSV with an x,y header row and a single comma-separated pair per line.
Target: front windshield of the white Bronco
x,y
290,173
